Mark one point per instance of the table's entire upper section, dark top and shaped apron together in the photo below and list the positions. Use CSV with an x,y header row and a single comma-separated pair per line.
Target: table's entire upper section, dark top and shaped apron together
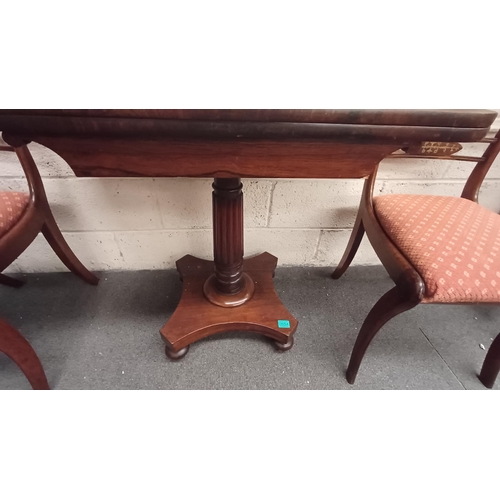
x,y
293,143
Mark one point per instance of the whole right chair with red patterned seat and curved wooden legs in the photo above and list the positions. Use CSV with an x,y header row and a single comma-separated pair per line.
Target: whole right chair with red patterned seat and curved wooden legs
x,y
436,249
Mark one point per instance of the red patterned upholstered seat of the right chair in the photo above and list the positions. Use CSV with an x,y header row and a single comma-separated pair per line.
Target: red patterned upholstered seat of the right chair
x,y
453,243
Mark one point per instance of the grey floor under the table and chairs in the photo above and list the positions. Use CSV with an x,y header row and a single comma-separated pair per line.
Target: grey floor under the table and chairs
x,y
106,337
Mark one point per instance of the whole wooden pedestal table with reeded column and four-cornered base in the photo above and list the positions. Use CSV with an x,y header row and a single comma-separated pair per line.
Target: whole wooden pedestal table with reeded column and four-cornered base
x,y
231,293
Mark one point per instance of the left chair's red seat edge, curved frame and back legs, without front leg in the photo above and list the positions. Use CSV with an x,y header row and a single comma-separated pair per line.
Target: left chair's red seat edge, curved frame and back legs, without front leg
x,y
23,216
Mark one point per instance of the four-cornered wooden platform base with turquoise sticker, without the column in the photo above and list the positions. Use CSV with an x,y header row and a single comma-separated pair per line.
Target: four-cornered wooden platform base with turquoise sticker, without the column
x,y
196,318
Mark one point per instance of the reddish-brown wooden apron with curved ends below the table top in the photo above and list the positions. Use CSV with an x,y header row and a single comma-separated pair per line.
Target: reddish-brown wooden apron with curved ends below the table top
x,y
105,157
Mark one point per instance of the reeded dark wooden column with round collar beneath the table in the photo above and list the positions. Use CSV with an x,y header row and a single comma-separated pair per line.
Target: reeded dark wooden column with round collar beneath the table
x,y
229,286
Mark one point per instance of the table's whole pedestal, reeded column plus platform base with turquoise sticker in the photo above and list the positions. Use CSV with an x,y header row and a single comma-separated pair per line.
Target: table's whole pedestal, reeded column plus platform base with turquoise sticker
x,y
229,293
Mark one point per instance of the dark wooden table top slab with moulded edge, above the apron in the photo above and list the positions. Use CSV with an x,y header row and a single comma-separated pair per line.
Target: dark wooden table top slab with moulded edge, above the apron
x,y
272,124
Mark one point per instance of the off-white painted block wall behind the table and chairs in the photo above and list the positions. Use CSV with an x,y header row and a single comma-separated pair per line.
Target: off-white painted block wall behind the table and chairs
x,y
134,223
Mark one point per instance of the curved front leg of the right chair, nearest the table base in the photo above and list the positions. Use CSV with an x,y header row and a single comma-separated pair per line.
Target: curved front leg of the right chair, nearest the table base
x,y
391,304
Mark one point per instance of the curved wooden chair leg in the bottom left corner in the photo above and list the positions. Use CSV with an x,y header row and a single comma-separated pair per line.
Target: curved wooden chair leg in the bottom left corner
x,y
16,347
